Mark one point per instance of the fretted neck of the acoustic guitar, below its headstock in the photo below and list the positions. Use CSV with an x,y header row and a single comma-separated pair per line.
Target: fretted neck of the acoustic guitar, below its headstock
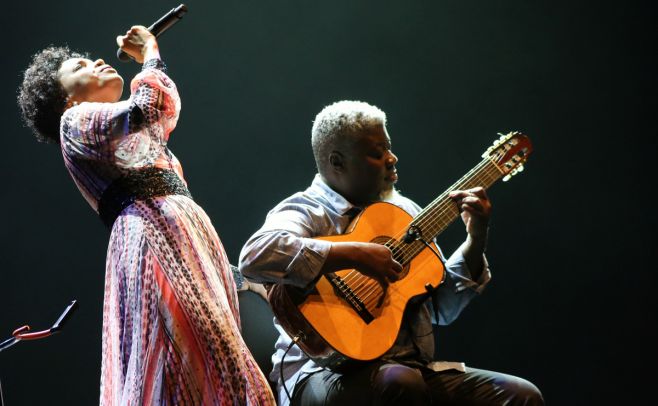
x,y
439,214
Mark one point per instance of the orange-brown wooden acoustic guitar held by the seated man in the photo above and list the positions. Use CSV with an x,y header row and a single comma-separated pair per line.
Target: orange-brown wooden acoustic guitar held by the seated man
x,y
348,316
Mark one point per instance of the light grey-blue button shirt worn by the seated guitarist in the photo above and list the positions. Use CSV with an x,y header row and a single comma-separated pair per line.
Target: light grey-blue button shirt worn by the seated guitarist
x,y
284,251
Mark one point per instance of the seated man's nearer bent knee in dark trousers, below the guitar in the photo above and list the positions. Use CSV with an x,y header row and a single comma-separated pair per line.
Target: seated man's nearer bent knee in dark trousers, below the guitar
x,y
395,384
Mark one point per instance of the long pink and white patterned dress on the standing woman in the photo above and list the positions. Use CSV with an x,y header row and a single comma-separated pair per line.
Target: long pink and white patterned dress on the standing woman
x,y
171,332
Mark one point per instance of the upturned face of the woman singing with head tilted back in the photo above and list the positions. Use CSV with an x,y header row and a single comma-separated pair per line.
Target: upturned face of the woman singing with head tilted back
x,y
85,80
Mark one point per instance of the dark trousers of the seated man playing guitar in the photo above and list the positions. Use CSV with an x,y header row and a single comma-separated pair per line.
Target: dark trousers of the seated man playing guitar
x,y
395,384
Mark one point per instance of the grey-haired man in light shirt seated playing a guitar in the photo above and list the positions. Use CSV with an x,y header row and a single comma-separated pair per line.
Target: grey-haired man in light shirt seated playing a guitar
x,y
356,168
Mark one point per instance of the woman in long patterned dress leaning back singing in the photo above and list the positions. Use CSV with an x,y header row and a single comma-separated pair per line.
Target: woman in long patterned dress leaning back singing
x,y
171,331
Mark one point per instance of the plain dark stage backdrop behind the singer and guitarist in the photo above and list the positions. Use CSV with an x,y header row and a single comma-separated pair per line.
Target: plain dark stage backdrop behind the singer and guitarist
x,y
572,305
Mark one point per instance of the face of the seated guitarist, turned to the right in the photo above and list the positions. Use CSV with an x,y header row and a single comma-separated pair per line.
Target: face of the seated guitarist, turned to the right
x,y
369,167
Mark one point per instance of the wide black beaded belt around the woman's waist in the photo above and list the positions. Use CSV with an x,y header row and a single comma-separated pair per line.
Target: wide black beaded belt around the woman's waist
x,y
139,184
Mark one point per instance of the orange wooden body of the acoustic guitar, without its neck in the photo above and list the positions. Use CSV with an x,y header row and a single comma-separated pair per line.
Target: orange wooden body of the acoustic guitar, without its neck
x,y
331,328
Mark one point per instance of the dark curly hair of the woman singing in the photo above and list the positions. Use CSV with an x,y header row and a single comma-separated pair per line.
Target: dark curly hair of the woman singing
x,y
41,97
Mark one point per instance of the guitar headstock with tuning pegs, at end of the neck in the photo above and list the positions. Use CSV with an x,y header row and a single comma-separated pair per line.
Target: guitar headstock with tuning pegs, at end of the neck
x,y
509,153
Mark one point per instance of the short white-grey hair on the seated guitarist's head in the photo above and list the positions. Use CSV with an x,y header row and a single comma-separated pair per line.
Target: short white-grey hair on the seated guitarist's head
x,y
339,121
